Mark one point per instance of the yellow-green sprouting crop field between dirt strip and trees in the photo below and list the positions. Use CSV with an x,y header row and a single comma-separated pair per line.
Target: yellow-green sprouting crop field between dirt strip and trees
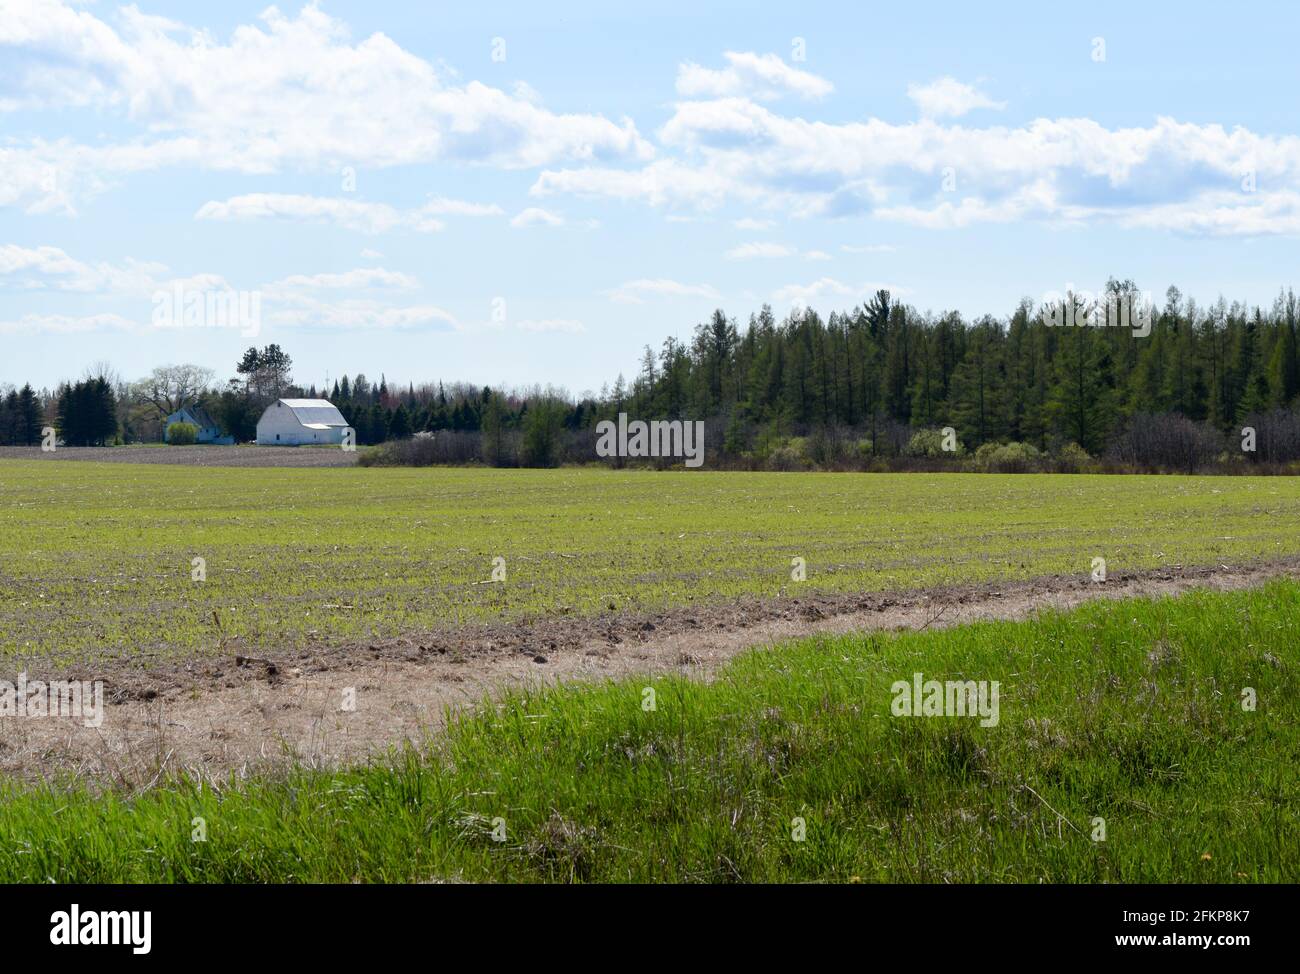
x,y
96,560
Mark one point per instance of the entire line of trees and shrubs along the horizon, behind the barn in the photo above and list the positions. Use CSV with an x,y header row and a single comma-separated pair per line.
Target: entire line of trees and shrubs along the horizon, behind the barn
x,y
856,389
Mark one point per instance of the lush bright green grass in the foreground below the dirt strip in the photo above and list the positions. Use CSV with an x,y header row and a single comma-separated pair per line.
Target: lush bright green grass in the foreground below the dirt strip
x,y
1126,712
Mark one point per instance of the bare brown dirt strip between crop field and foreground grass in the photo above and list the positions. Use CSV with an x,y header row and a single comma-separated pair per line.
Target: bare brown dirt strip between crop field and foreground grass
x,y
213,717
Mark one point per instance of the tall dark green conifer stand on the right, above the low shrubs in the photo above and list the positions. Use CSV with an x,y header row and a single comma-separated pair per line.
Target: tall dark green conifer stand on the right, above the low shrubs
x,y
1017,380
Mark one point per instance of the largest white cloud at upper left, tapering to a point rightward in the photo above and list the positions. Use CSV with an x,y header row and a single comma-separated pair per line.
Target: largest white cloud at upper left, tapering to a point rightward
x,y
285,93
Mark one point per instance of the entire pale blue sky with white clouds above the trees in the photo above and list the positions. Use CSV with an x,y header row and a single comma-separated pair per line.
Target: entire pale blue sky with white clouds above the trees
x,y
515,194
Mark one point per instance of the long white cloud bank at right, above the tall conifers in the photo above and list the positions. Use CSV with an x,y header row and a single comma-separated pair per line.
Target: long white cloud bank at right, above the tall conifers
x,y
933,175
